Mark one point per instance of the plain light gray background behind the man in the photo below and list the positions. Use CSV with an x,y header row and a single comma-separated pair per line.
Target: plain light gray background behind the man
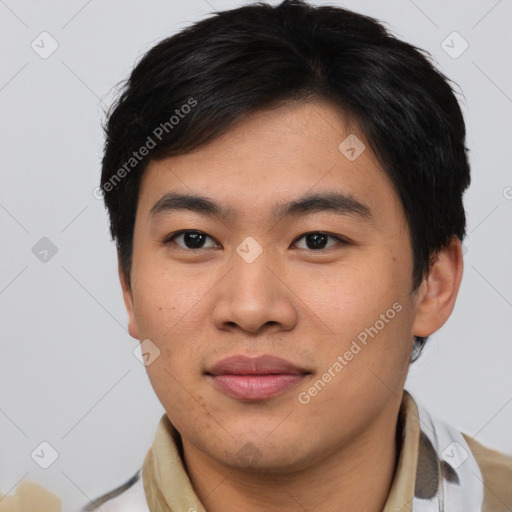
x,y
67,369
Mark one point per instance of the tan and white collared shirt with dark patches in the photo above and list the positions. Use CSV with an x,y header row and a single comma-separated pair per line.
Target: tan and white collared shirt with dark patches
x,y
439,469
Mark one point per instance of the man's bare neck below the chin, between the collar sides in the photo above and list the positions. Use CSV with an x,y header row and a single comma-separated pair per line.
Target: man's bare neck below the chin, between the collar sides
x,y
355,477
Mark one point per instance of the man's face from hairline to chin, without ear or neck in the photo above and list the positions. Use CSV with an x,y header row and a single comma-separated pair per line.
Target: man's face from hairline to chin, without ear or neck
x,y
324,284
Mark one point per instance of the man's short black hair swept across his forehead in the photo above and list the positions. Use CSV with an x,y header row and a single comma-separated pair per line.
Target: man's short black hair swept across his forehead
x,y
192,87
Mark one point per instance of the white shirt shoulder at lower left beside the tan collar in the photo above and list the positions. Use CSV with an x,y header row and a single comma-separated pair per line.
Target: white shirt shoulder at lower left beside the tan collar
x,y
128,497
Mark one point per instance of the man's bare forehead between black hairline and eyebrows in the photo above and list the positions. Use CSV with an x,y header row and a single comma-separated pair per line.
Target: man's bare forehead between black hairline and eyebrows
x,y
272,156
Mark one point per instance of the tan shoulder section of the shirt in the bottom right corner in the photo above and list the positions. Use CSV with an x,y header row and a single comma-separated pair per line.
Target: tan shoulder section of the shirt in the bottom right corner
x,y
496,469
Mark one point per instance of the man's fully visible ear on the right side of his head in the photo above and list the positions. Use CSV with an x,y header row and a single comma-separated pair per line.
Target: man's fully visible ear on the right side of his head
x,y
438,291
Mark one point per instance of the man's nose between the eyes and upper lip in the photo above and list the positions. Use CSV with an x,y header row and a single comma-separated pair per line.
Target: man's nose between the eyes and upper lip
x,y
254,296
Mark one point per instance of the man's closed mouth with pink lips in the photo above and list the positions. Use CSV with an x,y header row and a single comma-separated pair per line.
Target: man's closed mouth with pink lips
x,y
255,378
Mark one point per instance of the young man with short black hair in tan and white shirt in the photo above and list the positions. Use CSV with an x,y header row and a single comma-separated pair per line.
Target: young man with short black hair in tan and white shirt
x,y
285,188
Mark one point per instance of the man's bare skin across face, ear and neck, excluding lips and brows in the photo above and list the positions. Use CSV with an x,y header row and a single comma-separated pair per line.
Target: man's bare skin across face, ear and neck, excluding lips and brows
x,y
302,304
